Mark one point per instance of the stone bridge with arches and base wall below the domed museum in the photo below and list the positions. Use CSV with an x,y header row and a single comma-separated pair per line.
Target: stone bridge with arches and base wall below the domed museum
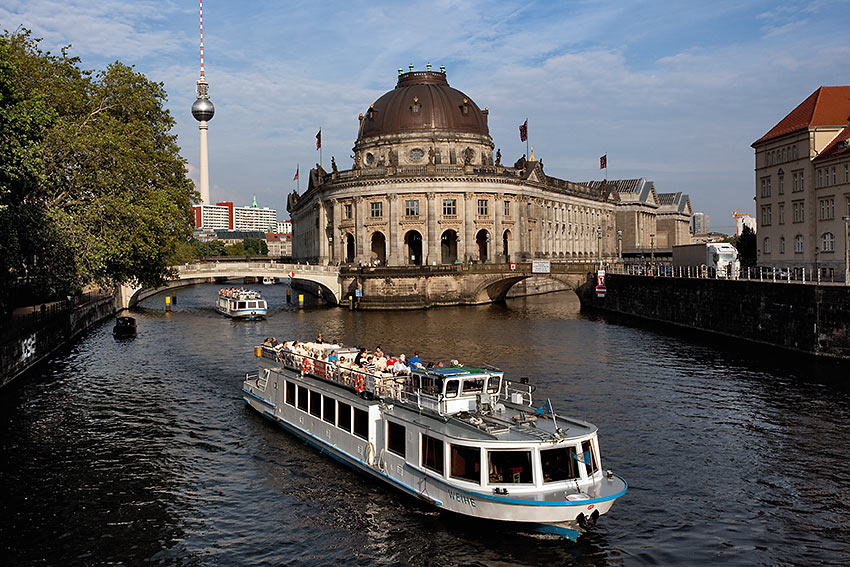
x,y
405,287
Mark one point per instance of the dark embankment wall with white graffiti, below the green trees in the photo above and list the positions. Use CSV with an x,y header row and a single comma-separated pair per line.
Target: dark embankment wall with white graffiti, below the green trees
x,y
36,344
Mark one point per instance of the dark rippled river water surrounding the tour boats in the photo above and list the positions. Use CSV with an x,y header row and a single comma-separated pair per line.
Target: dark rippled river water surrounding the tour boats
x,y
142,451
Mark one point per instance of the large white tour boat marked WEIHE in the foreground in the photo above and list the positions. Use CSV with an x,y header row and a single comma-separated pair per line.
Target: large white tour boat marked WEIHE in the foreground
x,y
463,439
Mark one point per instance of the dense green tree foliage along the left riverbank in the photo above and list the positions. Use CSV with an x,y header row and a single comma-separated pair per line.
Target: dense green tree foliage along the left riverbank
x,y
92,186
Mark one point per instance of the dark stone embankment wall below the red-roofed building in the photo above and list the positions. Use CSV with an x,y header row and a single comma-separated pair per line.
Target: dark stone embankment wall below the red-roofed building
x,y
803,317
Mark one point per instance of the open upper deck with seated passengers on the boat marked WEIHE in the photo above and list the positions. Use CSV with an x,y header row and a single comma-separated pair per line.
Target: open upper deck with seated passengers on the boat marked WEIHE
x,y
458,401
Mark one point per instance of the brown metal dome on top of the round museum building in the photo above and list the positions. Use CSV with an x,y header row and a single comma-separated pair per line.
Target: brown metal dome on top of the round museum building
x,y
423,103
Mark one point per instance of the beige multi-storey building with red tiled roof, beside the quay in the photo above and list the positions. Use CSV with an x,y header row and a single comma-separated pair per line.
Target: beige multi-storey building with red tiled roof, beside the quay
x,y
802,186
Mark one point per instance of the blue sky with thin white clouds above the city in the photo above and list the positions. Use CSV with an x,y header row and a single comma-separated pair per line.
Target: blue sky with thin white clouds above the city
x,y
672,91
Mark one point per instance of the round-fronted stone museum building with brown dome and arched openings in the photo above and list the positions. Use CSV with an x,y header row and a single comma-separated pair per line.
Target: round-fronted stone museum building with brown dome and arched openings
x,y
428,187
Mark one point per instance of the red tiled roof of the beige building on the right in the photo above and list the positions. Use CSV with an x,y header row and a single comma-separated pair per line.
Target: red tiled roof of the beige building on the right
x,y
827,106
